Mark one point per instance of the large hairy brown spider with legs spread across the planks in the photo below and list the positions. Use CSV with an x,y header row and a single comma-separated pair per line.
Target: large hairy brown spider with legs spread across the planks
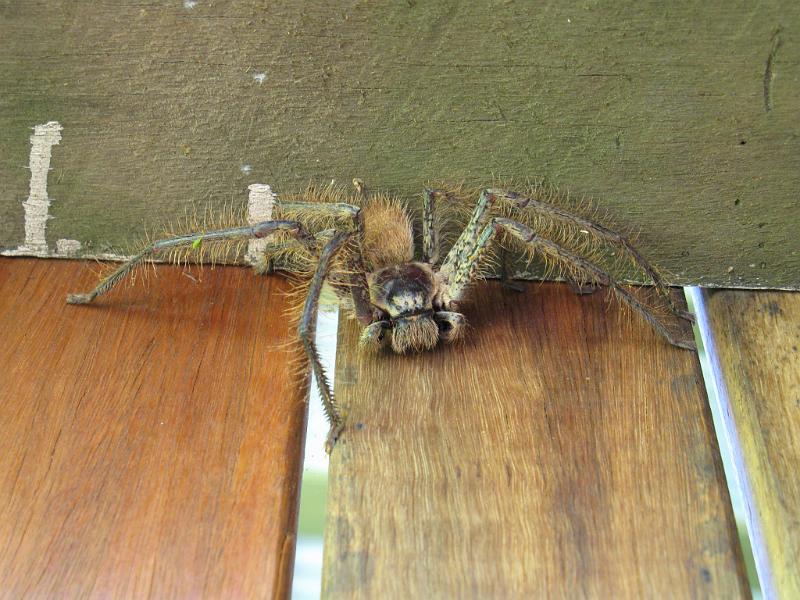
x,y
362,245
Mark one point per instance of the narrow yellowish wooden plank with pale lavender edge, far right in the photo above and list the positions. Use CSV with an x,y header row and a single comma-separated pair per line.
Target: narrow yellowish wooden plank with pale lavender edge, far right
x,y
754,342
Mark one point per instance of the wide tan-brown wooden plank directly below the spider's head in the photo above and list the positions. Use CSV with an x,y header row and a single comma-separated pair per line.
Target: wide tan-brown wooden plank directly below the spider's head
x,y
562,451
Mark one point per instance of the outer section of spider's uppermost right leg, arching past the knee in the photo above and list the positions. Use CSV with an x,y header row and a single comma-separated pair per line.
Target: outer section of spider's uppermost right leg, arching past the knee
x,y
604,233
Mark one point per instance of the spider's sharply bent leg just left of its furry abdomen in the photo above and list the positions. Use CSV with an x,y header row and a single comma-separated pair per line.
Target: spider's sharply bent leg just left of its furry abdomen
x,y
357,285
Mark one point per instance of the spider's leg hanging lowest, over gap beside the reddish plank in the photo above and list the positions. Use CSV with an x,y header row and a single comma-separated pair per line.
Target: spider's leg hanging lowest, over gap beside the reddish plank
x,y
307,329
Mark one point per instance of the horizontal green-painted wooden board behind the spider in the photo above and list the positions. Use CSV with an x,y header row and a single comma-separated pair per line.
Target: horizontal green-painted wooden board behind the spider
x,y
681,119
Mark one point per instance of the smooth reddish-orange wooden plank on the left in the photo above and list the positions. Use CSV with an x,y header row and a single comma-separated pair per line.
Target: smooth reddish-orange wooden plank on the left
x,y
150,446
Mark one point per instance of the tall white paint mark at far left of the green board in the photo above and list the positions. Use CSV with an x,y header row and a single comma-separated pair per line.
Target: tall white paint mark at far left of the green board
x,y
37,206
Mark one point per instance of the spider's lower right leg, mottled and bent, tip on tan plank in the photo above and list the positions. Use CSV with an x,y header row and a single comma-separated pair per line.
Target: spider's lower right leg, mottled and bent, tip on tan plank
x,y
528,236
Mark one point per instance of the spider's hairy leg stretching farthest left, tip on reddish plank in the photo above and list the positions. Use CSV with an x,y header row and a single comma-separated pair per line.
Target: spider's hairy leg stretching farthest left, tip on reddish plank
x,y
259,230
